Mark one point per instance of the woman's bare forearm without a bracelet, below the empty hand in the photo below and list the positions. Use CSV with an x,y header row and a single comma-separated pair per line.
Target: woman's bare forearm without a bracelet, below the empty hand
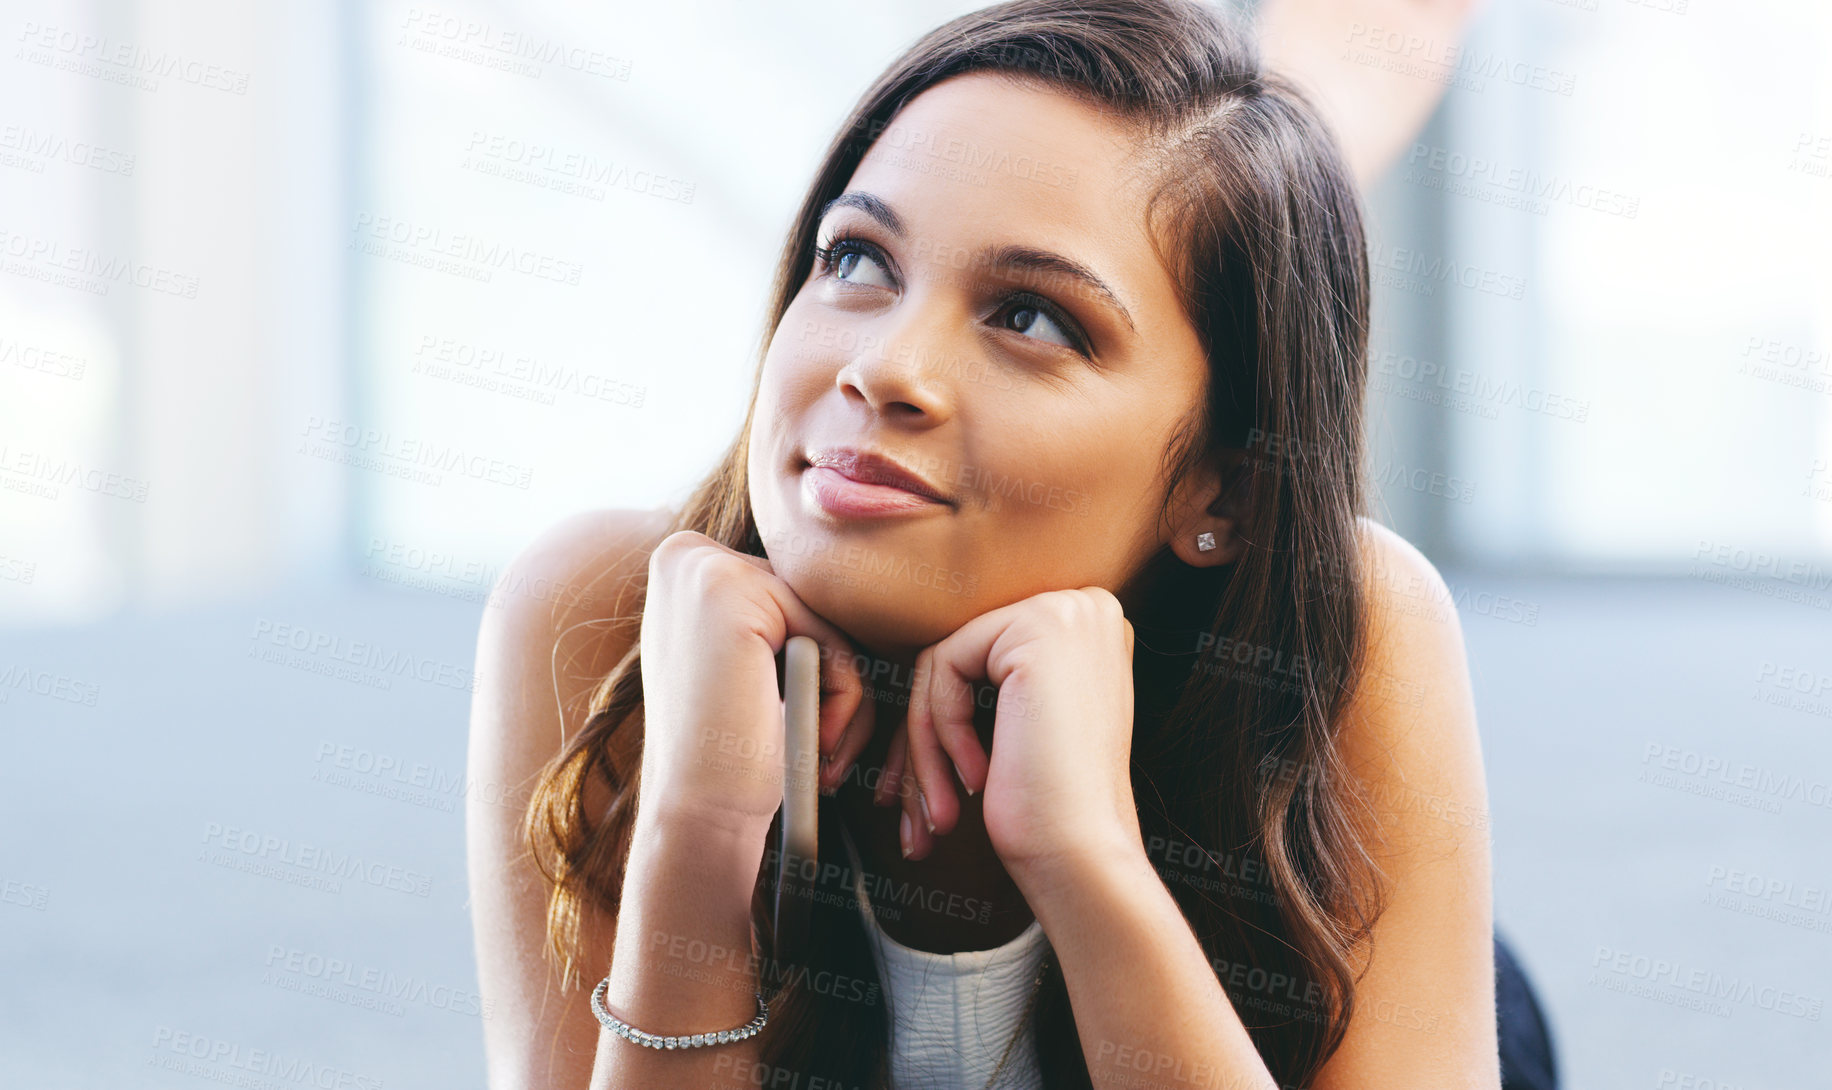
x,y
1148,1007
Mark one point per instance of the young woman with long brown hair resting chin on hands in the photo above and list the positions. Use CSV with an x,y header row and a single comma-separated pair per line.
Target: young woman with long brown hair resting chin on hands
x,y
1148,758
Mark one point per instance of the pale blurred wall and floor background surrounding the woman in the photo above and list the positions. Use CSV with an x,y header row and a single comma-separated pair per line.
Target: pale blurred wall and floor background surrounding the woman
x,y
314,314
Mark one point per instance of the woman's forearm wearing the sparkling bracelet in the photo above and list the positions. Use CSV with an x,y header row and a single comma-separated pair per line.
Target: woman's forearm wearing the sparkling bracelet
x,y
682,959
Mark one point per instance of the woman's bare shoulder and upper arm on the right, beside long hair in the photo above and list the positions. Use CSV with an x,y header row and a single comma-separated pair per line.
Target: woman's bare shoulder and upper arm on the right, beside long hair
x,y
1410,737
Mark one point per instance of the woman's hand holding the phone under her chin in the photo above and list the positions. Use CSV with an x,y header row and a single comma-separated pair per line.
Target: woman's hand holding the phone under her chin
x,y
714,626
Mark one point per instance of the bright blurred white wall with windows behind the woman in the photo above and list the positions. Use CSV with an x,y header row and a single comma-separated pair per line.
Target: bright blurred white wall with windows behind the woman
x,y
278,422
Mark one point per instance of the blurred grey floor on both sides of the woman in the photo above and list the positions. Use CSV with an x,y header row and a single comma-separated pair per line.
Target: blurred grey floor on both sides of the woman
x,y
164,801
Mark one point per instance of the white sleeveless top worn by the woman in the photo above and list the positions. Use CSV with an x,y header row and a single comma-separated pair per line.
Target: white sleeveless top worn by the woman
x,y
952,1016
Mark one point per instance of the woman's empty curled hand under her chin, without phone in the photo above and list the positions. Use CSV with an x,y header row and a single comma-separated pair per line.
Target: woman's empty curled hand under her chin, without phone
x,y
1058,779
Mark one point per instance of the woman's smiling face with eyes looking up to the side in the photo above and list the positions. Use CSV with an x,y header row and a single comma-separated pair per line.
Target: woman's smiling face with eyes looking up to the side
x,y
994,320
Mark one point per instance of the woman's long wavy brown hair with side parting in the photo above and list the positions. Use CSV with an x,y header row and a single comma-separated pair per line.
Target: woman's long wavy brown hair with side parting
x,y
1241,671
